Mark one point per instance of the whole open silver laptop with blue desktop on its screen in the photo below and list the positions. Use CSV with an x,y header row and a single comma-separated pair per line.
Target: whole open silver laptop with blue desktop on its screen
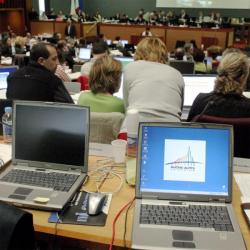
x,y
184,188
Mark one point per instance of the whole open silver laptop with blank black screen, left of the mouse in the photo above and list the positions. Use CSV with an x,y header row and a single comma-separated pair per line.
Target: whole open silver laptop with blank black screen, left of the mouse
x,y
49,154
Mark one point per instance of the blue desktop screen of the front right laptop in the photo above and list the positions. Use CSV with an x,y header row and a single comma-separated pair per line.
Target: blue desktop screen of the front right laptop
x,y
184,159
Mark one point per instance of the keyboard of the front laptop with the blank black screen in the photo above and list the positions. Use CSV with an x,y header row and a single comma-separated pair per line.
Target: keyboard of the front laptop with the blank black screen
x,y
57,181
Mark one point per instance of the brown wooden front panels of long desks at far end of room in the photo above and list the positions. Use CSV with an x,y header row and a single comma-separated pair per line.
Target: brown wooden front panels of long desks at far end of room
x,y
169,34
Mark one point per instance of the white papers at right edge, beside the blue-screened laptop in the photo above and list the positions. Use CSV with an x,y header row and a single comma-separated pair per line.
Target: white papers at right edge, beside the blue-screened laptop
x,y
243,181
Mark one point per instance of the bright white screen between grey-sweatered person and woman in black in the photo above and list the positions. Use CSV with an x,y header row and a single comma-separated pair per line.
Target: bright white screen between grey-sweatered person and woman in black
x,y
196,84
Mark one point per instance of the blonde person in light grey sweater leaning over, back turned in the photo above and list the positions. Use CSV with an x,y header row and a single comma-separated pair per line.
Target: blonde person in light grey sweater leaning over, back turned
x,y
151,86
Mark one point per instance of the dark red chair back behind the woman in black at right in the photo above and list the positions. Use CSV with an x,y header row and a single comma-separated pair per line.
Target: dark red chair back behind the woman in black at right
x,y
241,131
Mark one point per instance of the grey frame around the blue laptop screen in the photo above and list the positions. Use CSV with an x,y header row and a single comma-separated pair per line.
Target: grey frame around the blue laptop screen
x,y
183,196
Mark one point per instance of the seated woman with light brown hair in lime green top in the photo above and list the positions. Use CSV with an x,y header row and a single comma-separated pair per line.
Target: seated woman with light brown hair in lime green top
x,y
104,81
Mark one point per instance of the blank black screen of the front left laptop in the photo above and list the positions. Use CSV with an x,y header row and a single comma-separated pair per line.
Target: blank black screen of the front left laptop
x,y
50,134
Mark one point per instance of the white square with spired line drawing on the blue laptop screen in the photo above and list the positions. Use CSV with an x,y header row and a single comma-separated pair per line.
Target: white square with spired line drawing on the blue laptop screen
x,y
184,160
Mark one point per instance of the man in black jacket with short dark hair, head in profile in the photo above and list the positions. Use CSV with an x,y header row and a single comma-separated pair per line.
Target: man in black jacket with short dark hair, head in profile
x,y
37,81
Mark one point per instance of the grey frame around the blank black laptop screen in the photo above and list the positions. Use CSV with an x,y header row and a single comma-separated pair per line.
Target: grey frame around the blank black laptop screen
x,y
49,165
